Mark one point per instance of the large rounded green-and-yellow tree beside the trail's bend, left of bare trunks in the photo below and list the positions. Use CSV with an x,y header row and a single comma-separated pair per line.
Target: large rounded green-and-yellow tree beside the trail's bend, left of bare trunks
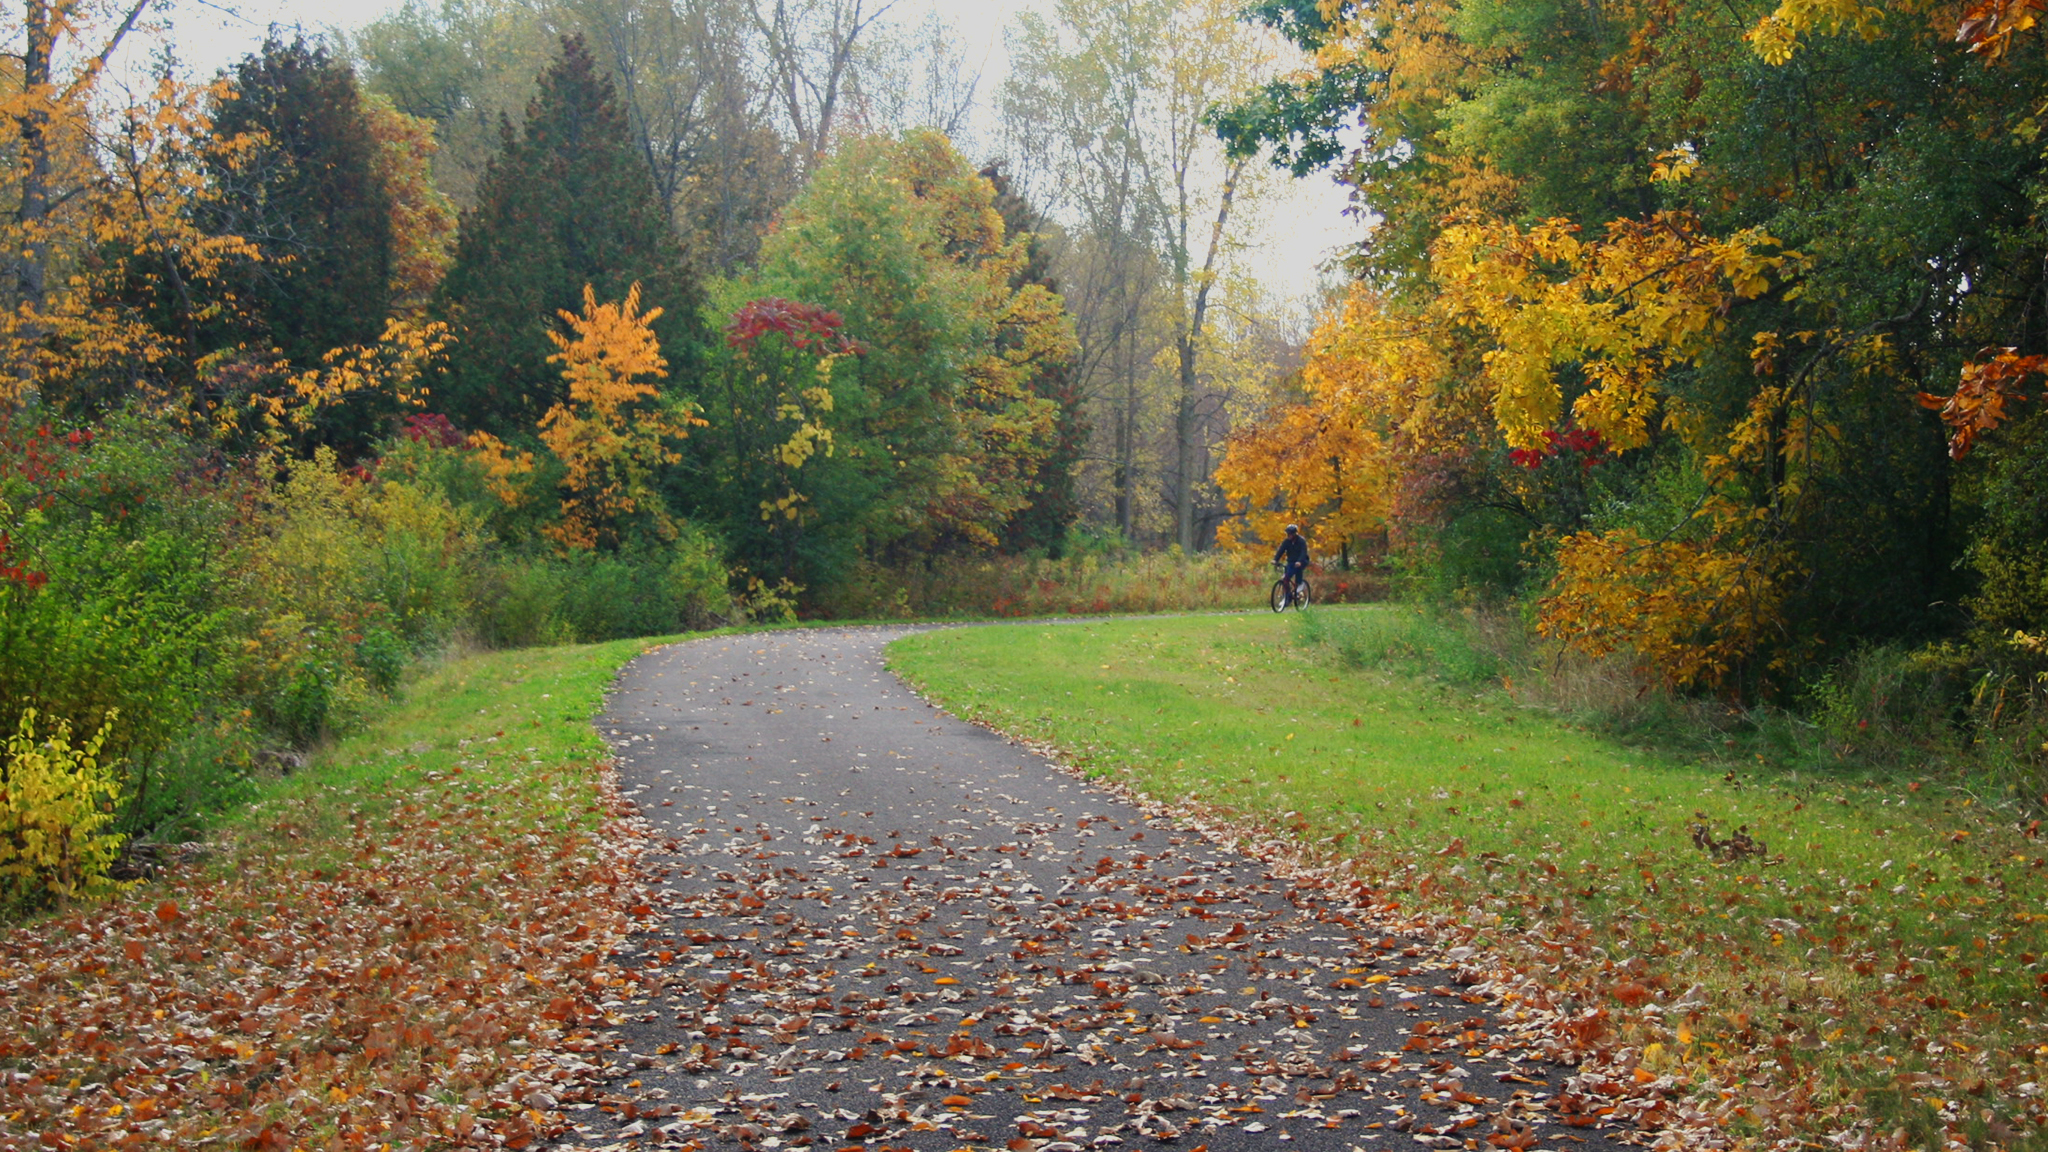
x,y
929,438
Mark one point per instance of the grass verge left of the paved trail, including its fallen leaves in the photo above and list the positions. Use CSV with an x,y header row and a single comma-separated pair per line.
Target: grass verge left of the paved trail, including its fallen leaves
x,y
392,948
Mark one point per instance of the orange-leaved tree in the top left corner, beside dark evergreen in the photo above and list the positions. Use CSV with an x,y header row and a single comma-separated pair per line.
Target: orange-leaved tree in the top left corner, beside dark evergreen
x,y
110,272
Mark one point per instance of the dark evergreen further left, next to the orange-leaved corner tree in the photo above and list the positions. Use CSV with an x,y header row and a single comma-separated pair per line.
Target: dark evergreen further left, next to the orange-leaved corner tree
x,y
310,200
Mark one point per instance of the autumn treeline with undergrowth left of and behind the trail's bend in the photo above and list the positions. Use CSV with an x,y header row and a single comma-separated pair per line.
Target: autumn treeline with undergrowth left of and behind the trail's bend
x,y
546,321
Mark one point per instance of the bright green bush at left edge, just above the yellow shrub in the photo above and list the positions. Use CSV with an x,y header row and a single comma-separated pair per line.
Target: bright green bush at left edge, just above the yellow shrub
x,y
118,604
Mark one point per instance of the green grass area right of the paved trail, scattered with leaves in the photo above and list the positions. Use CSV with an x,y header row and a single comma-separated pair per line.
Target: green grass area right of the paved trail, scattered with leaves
x,y
1875,973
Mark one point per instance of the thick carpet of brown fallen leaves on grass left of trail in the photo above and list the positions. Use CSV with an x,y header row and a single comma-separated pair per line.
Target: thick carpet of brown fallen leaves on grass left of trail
x,y
396,999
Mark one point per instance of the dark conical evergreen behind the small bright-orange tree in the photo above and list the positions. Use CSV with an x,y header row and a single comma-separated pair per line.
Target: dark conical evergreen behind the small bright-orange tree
x,y
566,204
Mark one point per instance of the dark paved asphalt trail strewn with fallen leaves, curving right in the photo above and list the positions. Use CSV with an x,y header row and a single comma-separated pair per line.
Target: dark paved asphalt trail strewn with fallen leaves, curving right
x,y
894,930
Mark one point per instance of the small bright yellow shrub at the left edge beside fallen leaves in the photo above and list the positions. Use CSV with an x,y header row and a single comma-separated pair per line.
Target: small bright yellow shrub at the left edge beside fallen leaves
x,y
56,811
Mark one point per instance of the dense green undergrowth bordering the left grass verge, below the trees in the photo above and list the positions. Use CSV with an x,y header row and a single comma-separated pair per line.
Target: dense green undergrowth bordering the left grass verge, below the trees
x,y
210,622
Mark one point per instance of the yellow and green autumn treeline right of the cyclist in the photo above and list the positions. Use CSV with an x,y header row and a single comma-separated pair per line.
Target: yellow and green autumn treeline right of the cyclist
x,y
1707,333
